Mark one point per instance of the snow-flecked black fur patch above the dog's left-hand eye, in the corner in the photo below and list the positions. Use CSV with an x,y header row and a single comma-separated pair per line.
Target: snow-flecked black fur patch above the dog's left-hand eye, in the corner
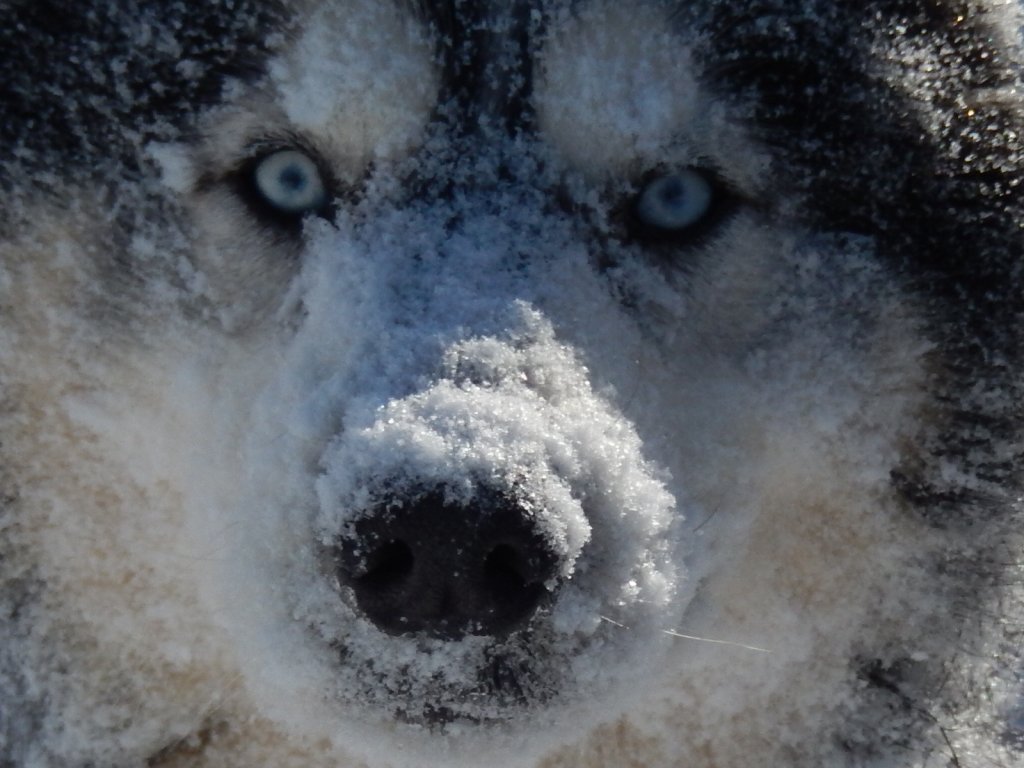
x,y
81,82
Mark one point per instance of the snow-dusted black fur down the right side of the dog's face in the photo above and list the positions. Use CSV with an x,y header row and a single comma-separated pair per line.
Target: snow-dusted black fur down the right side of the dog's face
x,y
945,207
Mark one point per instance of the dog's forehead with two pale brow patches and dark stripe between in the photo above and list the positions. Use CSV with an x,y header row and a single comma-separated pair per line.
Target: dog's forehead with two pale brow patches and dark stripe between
x,y
596,79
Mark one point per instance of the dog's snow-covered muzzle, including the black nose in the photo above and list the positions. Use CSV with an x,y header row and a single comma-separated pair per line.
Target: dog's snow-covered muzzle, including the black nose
x,y
470,522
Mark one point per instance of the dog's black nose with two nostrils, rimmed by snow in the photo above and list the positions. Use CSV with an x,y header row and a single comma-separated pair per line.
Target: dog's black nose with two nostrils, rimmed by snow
x,y
448,570
